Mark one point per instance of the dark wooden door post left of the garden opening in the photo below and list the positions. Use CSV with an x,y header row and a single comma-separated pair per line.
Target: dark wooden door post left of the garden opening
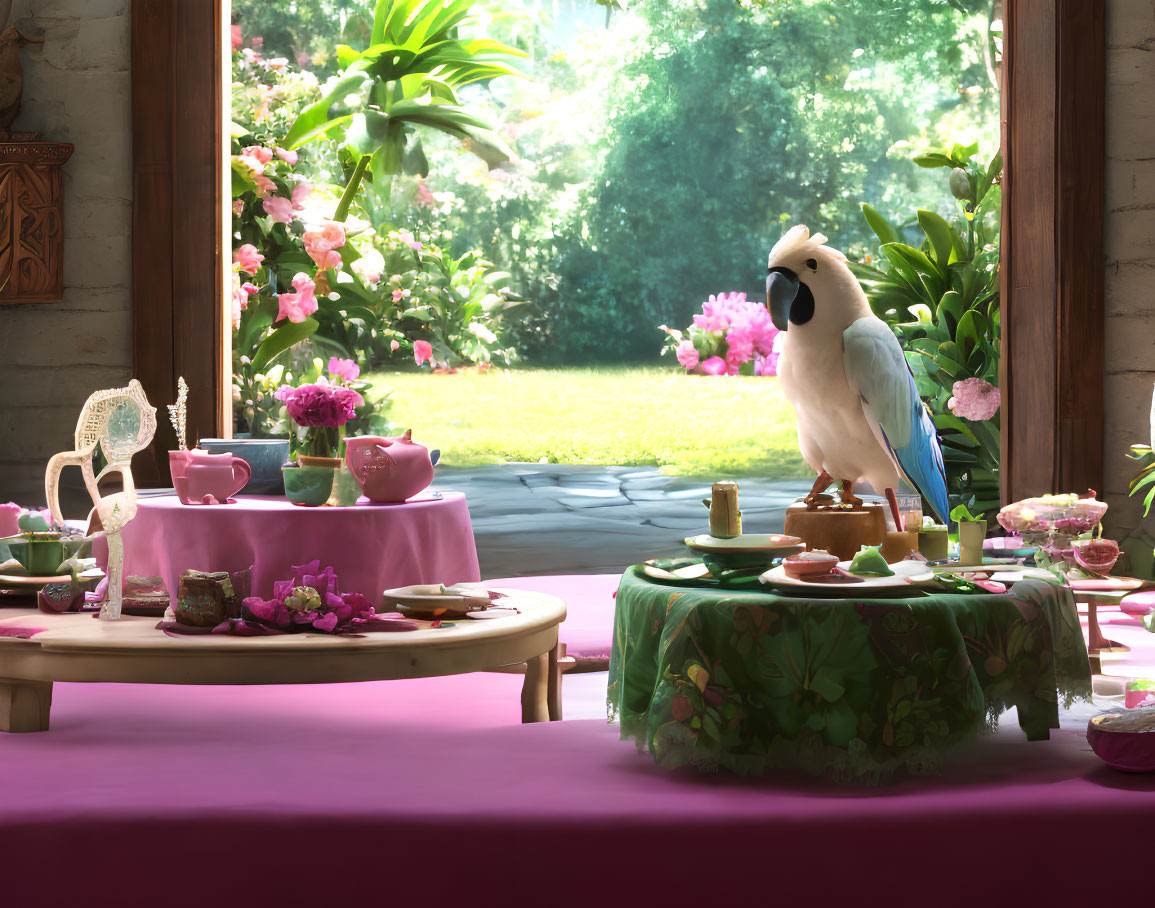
x,y
178,62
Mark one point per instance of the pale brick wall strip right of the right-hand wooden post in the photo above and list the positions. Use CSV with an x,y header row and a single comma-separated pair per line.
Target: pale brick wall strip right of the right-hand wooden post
x,y
1129,247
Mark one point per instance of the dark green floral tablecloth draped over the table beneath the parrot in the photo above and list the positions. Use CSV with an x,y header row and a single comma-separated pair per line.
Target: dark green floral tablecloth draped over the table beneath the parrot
x,y
859,689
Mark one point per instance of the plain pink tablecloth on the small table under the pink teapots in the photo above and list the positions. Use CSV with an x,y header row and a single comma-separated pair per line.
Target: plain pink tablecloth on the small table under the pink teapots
x,y
372,548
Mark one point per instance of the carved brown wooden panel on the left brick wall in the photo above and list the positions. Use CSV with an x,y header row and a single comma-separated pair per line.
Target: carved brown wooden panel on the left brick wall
x,y
32,221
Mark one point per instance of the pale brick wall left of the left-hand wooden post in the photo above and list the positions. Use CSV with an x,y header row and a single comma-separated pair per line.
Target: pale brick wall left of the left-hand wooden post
x,y
53,355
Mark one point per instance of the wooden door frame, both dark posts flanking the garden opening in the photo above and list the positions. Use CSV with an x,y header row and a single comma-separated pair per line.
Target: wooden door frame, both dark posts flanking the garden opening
x,y
1052,272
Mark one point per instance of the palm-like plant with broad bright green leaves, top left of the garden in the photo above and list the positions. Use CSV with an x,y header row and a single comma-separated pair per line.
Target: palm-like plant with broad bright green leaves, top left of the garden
x,y
408,78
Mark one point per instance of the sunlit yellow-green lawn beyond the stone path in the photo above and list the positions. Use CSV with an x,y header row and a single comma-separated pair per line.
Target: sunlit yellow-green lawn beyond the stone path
x,y
692,426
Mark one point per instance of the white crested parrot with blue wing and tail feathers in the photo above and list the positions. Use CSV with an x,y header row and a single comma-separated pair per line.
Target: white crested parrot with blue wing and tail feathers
x,y
860,416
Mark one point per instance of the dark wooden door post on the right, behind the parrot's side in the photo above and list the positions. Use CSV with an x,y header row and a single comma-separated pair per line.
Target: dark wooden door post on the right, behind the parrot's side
x,y
1053,279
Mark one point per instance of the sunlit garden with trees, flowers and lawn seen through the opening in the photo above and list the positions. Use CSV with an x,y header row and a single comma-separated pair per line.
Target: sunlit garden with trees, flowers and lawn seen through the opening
x,y
506,215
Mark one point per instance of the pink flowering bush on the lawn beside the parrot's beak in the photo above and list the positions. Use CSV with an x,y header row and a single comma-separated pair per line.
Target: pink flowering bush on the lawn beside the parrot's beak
x,y
733,336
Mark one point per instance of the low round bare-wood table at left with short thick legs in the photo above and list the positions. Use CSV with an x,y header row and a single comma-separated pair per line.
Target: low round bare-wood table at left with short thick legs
x,y
79,647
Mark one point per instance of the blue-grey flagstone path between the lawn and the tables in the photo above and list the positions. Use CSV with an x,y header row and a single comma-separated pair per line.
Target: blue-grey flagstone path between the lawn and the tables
x,y
555,519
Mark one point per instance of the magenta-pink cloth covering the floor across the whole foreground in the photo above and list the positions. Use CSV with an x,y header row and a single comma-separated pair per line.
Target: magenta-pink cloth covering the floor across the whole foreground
x,y
428,793
